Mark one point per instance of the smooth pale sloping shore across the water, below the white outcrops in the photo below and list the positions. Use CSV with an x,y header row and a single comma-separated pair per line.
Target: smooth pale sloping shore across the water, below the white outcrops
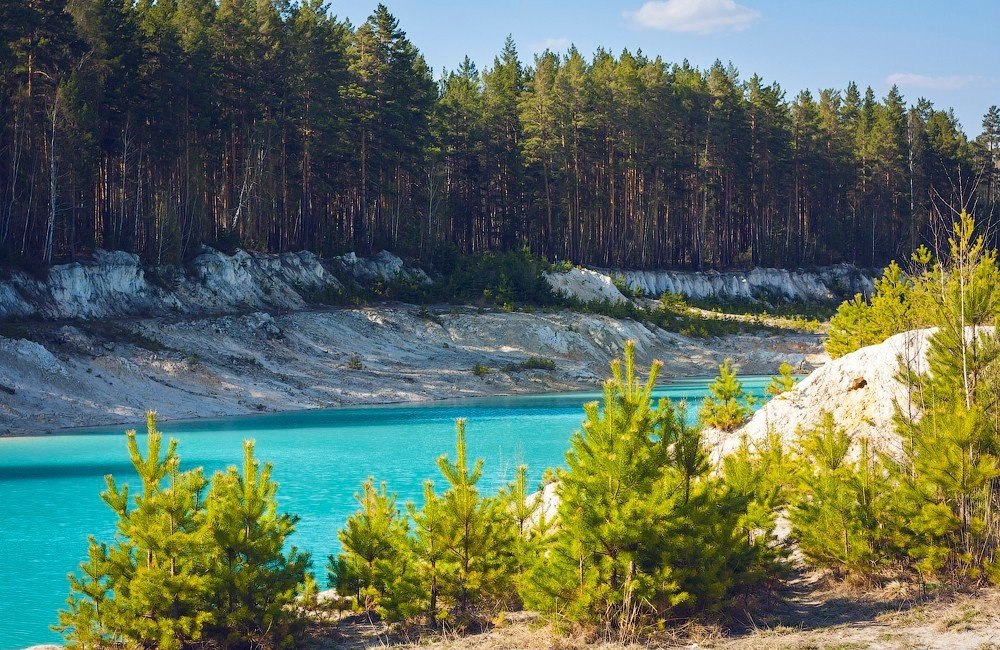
x,y
87,374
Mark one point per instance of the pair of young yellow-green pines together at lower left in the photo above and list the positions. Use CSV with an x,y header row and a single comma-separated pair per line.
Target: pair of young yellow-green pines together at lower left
x,y
185,568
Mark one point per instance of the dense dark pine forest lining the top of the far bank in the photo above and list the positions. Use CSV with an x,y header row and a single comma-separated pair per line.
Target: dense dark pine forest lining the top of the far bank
x,y
161,125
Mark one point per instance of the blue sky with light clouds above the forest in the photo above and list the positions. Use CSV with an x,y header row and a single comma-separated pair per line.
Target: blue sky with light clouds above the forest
x,y
944,50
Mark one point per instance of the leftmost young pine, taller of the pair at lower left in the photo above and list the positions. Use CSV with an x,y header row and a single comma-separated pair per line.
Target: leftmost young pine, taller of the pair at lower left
x,y
149,587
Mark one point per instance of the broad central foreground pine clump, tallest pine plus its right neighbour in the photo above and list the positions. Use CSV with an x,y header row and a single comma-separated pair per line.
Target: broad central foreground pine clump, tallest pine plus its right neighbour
x,y
644,530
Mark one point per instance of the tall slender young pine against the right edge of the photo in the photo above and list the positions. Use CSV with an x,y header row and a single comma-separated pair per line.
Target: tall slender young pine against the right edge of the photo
x,y
949,473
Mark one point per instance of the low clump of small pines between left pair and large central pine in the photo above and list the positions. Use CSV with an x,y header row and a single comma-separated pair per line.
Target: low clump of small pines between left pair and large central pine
x,y
456,558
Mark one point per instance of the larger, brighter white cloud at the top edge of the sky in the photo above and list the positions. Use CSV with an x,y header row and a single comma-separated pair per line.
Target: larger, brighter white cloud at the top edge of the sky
x,y
698,16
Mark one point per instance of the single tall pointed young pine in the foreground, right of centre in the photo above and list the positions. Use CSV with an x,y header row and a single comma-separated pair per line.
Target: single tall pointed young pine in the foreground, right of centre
x,y
605,564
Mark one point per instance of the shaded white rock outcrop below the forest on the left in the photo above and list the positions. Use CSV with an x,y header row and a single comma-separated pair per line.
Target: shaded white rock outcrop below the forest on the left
x,y
116,285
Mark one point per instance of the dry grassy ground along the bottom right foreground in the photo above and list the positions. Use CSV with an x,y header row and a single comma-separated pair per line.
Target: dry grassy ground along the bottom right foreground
x,y
813,615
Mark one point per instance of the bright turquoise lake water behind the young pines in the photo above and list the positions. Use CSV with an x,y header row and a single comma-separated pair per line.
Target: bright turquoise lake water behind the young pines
x,y
50,486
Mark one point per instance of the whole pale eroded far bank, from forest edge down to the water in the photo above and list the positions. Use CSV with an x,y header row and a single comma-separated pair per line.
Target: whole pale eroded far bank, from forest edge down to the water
x,y
100,341
